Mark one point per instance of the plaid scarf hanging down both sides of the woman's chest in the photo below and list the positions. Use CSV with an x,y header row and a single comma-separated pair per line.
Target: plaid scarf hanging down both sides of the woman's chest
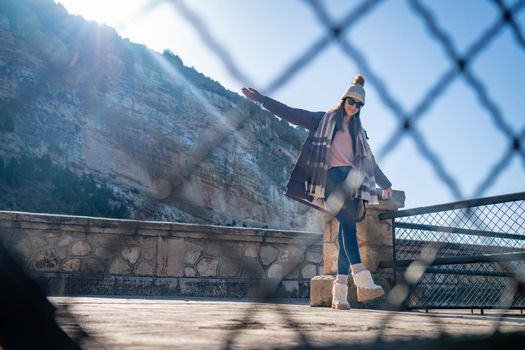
x,y
318,164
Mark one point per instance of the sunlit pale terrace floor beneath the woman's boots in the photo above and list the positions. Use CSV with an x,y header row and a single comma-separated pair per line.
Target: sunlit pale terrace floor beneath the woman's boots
x,y
119,323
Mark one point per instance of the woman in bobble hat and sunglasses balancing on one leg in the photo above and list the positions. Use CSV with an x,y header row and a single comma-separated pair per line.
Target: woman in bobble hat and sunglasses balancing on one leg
x,y
336,172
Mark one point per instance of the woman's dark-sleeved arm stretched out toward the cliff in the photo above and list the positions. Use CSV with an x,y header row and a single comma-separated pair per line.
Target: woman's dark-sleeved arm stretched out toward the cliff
x,y
300,117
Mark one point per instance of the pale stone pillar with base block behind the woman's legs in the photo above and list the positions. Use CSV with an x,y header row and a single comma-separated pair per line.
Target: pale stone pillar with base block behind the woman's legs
x,y
375,244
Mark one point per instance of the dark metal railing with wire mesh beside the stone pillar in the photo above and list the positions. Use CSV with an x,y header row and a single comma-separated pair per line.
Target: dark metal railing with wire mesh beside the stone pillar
x,y
475,252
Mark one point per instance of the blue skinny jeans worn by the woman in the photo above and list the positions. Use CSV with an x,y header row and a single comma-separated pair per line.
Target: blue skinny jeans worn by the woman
x,y
347,236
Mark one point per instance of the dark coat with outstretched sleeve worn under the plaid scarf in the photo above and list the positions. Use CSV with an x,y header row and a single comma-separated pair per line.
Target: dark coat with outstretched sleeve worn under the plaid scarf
x,y
296,187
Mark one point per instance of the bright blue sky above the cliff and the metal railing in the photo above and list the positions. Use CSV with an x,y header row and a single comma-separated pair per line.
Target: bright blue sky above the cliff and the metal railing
x,y
264,37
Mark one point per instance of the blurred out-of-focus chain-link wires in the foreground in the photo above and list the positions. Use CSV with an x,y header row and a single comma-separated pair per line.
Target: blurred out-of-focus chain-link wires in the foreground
x,y
407,118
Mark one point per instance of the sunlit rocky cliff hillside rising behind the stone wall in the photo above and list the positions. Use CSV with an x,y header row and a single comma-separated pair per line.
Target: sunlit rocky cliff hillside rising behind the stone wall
x,y
171,143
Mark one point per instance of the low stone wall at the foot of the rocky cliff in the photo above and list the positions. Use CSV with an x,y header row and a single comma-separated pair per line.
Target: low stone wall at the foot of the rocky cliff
x,y
83,255
